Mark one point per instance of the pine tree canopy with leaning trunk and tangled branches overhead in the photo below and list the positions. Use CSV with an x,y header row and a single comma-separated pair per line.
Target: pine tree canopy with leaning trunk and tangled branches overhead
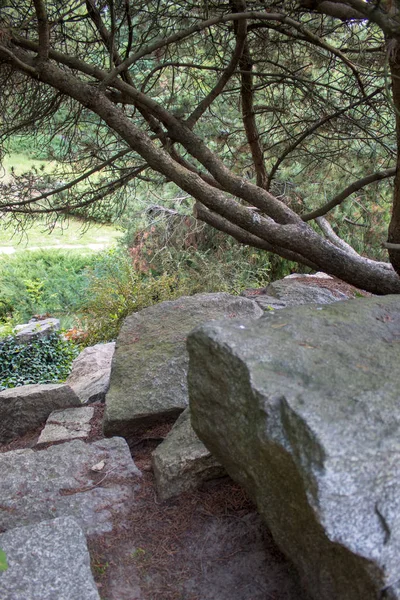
x,y
230,101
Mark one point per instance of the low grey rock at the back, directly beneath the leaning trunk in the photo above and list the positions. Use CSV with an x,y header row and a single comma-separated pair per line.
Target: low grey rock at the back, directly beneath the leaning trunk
x,y
291,292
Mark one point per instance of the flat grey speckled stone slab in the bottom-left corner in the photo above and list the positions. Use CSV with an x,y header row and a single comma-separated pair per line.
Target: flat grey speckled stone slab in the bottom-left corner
x,y
47,561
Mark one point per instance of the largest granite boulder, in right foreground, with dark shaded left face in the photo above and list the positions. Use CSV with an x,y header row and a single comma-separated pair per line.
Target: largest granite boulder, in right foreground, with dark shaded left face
x,y
302,407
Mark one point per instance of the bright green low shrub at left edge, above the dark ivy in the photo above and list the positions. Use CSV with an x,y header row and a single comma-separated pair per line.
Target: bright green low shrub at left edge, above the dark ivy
x,y
42,282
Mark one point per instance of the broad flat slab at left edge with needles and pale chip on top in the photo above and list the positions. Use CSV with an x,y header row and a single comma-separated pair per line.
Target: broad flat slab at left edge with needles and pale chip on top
x,y
59,481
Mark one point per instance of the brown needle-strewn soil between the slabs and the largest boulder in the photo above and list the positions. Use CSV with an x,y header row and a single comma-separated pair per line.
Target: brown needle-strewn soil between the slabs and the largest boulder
x,y
209,544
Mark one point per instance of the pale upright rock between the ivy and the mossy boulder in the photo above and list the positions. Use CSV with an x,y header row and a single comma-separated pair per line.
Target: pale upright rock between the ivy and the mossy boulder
x,y
90,373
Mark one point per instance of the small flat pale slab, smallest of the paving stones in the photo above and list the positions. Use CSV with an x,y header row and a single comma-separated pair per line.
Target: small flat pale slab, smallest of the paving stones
x,y
68,424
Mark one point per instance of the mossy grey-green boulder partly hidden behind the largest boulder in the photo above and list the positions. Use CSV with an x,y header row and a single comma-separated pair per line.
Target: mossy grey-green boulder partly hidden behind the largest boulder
x,y
148,376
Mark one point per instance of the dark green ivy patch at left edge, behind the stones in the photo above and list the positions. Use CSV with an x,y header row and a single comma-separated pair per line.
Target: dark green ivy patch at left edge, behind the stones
x,y
42,360
